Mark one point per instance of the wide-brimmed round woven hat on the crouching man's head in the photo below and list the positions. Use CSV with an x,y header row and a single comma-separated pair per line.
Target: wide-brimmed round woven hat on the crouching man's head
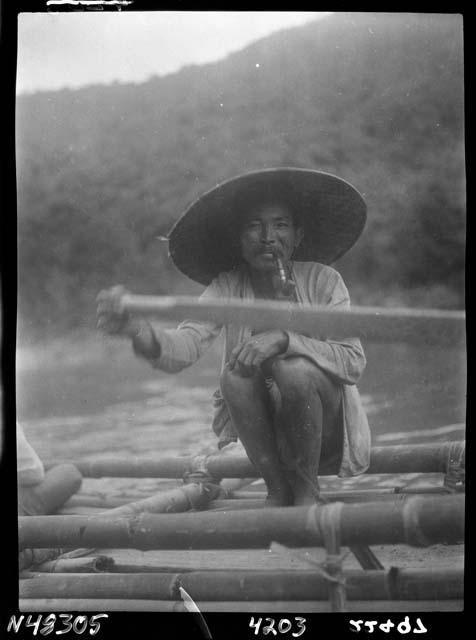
x,y
331,212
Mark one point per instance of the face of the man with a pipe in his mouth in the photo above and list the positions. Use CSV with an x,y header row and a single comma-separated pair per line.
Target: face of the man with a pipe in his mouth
x,y
266,231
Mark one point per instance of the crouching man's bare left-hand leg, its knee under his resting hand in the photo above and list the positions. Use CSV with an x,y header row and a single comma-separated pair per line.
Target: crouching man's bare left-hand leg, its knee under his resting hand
x,y
248,403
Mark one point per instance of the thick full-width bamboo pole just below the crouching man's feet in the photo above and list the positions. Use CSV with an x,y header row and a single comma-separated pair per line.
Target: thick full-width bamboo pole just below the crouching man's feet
x,y
418,521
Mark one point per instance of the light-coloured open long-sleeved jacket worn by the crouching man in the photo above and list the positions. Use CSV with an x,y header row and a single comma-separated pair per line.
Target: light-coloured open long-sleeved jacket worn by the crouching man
x,y
317,285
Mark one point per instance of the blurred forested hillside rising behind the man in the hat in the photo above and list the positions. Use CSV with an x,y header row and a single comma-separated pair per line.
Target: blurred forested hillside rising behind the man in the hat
x,y
374,98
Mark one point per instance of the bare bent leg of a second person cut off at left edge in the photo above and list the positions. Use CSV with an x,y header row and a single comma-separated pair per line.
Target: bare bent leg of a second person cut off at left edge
x,y
51,493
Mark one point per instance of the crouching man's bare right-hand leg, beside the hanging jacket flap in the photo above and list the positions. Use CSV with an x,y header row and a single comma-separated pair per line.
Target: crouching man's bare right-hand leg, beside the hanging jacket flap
x,y
306,419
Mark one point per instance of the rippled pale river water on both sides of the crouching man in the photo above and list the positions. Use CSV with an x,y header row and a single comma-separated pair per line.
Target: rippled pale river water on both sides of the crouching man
x,y
84,401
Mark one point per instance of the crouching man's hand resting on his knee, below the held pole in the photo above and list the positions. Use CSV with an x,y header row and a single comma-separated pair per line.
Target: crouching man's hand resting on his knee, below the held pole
x,y
248,356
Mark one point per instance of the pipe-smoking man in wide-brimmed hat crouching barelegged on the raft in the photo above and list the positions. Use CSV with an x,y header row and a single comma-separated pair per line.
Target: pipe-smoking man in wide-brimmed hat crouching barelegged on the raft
x,y
291,399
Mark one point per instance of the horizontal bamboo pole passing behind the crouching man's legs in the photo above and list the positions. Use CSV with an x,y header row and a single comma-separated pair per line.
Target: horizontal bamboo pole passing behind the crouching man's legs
x,y
418,458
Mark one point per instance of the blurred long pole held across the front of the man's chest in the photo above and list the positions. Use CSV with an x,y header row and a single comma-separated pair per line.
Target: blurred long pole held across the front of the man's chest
x,y
378,324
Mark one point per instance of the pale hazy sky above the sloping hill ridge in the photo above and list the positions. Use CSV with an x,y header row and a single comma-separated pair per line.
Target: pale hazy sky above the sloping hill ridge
x,y
74,49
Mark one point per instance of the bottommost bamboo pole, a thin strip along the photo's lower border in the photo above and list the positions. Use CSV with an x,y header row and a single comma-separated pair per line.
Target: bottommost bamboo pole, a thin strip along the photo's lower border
x,y
295,606
